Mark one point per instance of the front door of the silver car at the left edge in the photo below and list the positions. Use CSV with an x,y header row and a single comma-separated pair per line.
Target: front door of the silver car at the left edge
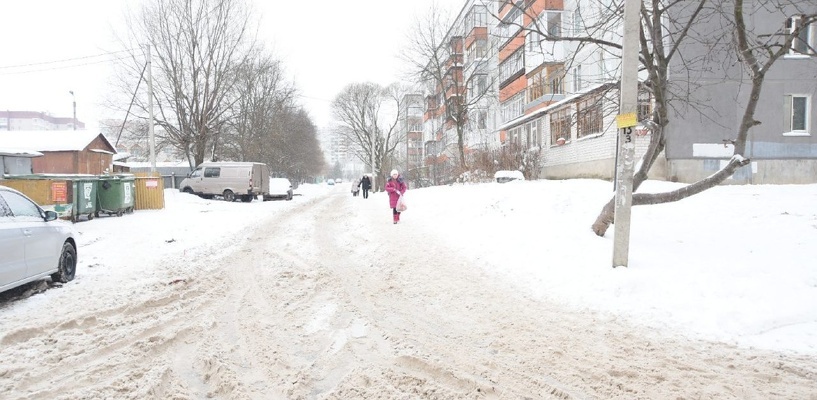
x,y
42,240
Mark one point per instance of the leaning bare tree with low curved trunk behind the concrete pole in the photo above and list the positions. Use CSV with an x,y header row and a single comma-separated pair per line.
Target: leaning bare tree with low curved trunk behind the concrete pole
x,y
666,28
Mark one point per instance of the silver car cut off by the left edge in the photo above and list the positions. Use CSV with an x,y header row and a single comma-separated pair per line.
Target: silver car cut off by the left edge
x,y
33,243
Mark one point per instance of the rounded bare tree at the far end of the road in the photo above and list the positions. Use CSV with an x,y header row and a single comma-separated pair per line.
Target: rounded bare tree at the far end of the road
x,y
368,116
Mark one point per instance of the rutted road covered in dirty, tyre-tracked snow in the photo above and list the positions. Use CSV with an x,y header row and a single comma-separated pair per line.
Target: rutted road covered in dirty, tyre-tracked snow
x,y
328,300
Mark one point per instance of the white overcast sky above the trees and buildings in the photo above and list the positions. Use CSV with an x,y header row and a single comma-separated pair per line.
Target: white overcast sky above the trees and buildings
x,y
324,46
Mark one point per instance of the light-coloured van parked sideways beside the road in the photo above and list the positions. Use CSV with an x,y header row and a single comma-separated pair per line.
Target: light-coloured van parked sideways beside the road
x,y
230,180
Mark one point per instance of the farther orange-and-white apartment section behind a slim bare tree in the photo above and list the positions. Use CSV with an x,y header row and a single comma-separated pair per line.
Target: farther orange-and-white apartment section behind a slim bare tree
x,y
460,100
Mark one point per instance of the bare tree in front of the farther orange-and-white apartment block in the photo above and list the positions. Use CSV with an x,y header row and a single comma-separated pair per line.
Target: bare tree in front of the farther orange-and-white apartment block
x,y
464,79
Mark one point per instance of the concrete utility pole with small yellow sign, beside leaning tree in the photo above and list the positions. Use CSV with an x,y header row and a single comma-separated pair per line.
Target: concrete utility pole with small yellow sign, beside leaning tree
x,y
626,120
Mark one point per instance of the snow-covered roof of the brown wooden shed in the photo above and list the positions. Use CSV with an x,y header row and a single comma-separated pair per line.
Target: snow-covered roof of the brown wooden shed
x,y
50,140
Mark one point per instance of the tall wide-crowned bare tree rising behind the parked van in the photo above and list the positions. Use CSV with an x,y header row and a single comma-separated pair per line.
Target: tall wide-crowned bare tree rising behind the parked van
x,y
197,48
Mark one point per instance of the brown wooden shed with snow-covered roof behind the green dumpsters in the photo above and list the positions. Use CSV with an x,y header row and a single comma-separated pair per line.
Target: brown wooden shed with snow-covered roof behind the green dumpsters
x,y
64,152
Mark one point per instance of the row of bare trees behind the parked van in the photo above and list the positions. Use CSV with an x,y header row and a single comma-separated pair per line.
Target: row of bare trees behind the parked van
x,y
218,94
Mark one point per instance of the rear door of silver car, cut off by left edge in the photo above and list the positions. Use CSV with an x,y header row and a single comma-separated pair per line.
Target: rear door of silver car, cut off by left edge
x,y
12,243
